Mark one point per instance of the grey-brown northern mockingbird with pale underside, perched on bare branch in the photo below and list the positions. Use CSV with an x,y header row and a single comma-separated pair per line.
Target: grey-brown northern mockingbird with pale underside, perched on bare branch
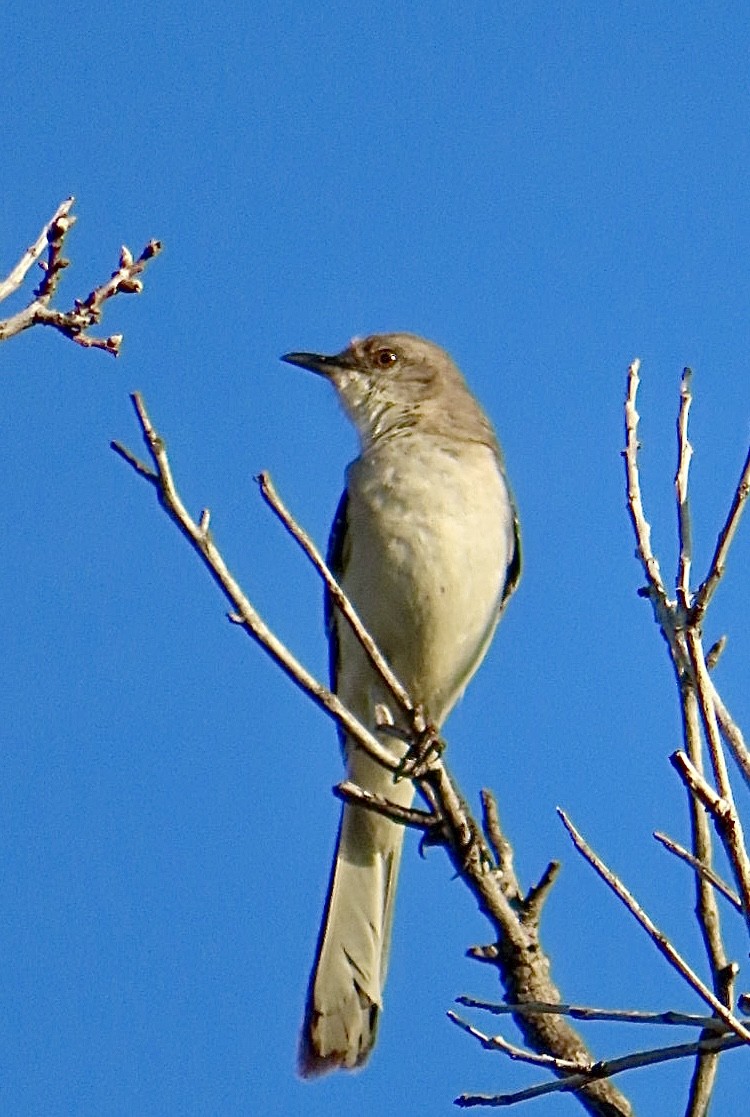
x,y
425,543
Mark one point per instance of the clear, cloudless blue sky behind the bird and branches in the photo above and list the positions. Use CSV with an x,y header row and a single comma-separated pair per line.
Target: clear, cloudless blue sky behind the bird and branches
x,y
546,190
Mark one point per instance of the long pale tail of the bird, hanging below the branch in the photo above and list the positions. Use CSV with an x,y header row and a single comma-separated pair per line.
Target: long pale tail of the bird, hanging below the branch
x,y
345,998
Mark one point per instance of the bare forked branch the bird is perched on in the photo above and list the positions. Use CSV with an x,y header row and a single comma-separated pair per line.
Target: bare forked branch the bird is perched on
x,y
515,918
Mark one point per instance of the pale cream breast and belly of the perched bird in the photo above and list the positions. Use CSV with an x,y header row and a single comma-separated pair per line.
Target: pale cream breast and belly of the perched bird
x,y
431,538
